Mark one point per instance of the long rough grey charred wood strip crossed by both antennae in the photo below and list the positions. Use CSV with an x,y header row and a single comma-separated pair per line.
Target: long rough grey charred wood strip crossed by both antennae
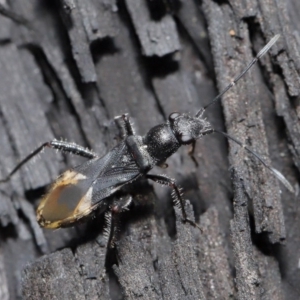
x,y
244,118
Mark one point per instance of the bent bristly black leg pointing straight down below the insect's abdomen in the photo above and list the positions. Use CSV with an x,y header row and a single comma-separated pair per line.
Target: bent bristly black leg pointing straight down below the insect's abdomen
x,y
112,219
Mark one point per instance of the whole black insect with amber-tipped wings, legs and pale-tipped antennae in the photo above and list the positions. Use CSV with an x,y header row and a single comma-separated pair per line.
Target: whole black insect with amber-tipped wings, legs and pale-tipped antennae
x,y
81,190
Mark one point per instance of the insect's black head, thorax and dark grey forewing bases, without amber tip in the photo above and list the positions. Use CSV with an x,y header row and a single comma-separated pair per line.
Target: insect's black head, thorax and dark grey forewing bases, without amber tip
x,y
136,155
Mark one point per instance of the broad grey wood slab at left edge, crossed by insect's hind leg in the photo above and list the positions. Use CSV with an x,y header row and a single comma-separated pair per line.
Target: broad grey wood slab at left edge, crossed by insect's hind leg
x,y
25,128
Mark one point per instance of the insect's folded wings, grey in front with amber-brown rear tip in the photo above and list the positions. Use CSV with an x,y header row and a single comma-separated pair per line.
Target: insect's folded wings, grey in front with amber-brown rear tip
x,y
79,191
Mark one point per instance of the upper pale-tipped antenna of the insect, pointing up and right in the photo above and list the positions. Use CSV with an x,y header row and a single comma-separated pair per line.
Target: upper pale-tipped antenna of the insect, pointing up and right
x,y
262,52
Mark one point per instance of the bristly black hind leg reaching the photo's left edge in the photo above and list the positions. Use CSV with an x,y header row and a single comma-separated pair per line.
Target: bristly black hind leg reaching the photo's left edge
x,y
55,144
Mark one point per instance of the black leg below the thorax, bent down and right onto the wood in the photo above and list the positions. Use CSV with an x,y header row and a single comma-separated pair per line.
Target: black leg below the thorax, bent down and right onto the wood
x,y
177,195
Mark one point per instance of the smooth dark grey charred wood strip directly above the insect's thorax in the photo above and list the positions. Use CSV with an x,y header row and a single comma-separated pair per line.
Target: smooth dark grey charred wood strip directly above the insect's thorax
x,y
123,81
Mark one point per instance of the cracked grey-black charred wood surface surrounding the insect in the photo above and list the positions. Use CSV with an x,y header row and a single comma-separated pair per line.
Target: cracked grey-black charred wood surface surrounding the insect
x,y
68,67
